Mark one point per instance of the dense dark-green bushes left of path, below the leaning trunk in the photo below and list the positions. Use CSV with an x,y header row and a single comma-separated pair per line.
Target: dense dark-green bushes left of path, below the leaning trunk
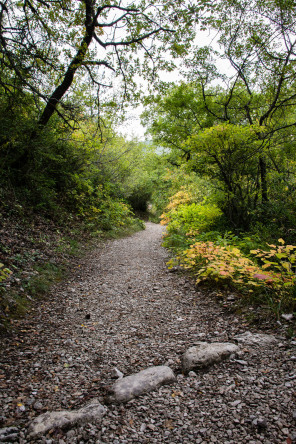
x,y
66,174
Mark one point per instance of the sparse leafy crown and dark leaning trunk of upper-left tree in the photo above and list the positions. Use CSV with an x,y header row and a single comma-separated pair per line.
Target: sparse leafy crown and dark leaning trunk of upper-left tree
x,y
46,44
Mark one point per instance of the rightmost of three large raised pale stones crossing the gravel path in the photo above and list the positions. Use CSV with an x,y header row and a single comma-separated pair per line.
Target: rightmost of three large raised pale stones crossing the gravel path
x,y
205,354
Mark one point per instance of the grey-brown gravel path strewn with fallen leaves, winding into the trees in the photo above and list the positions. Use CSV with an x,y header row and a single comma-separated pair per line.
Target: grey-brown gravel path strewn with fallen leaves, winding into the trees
x,y
122,308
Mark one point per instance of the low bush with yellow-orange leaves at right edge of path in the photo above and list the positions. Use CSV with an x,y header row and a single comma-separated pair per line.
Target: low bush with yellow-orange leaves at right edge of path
x,y
228,266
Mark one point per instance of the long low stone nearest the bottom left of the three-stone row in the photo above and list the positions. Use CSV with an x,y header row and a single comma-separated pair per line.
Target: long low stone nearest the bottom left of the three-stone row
x,y
92,412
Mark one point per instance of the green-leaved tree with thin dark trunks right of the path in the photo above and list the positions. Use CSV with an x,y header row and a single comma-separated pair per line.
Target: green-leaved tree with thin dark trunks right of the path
x,y
235,121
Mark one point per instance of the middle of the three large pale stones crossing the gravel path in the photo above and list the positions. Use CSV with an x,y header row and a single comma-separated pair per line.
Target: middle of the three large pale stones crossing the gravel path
x,y
129,387
